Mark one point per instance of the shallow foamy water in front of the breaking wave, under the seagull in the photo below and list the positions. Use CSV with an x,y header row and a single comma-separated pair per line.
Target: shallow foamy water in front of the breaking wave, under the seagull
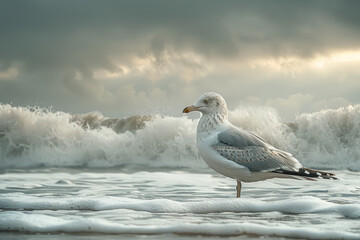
x,y
92,204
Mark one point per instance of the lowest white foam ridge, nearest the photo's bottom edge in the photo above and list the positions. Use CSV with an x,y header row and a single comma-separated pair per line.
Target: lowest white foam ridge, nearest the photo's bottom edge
x,y
38,223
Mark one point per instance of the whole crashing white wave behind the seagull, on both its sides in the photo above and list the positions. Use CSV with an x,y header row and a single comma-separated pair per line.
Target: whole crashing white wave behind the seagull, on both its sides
x,y
33,137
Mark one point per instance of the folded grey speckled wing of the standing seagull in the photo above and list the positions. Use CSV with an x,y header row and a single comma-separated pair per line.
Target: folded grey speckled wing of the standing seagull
x,y
253,152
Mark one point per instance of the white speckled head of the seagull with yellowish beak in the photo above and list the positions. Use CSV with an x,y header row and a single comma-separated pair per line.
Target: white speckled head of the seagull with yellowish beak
x,y
209,103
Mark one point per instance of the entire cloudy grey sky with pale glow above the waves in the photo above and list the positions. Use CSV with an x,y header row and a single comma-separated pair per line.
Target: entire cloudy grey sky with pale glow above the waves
x,y
130,57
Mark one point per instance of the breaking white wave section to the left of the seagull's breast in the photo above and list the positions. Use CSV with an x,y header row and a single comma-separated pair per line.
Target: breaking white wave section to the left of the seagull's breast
x,y
36,137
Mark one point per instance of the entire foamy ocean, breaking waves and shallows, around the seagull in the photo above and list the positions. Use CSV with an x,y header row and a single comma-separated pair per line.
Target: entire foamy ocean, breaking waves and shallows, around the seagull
x,y
65,176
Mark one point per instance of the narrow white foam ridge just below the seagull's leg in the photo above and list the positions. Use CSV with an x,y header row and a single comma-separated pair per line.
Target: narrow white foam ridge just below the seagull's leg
x,y
304,205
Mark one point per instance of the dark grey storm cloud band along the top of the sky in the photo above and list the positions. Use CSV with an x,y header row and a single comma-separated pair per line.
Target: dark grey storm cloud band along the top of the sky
x,y
83,33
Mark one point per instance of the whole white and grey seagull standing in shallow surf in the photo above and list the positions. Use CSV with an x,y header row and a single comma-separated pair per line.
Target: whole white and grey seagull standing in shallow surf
x,y
240,154
